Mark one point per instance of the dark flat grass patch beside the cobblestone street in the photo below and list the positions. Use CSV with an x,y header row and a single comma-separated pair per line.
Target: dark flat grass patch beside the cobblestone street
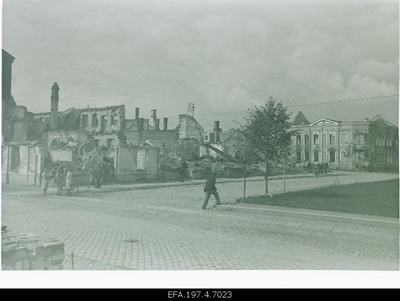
x,y
375,198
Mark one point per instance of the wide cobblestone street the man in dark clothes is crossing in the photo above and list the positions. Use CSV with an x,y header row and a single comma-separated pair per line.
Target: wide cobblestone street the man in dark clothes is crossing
x,y
165,229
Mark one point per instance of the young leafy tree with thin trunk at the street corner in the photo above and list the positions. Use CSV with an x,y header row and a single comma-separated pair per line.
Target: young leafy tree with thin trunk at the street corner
x,y
268,131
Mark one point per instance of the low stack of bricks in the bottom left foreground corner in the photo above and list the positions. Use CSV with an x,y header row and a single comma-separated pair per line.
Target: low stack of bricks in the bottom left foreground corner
x,y
30,252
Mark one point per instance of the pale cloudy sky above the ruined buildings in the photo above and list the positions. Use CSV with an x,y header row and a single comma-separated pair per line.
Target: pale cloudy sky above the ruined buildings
x,y
221,55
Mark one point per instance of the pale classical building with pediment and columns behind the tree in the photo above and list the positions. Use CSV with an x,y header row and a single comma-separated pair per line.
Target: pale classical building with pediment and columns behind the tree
x,y
345,145
